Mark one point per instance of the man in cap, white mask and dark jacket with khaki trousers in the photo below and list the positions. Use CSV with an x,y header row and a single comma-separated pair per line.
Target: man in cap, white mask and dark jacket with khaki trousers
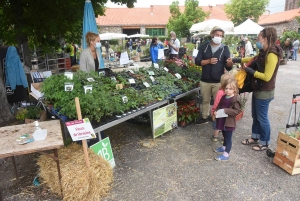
x,y
213,56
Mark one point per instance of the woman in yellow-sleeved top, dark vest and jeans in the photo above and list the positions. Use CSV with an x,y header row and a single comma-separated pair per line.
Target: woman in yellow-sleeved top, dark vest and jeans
x,y
263,83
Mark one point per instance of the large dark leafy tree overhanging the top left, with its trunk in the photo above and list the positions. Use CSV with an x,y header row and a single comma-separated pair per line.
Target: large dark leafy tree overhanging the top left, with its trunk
x,y
42,23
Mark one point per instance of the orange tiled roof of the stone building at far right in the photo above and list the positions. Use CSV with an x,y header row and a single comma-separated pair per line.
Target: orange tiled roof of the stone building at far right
x,y
275,18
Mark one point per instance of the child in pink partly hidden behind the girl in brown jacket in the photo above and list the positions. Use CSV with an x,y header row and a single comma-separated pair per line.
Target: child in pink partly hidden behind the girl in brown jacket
x,y
219,95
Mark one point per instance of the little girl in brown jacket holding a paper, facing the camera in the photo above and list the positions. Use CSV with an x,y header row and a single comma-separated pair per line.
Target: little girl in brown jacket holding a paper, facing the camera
x,y
230,102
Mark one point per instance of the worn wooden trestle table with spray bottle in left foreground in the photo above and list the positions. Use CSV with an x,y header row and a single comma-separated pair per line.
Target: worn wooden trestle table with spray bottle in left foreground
x,y
9,147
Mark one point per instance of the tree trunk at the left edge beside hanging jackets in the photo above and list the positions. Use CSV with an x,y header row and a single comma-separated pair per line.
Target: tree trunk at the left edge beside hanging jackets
x,y
5,115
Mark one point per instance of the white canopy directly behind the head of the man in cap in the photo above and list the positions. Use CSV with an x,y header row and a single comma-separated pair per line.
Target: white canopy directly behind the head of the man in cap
x,y
207,26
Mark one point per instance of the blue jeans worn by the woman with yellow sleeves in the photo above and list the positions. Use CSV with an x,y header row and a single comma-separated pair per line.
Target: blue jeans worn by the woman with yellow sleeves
x,y
261,126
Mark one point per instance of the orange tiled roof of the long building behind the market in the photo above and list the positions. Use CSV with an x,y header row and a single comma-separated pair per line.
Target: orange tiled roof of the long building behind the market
x,y
143,16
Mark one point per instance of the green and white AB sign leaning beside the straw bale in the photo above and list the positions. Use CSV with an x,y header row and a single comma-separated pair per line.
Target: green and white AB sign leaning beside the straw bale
x,y
103,149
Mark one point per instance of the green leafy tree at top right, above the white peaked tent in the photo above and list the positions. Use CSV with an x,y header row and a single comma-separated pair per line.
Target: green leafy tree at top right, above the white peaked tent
x,y
240,10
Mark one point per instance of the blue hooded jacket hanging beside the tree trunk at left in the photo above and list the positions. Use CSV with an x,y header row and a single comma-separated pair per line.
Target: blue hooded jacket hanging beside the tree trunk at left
x,y
15,74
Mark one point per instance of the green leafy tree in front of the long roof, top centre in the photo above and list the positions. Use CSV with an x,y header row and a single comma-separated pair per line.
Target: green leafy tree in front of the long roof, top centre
x,y
182,22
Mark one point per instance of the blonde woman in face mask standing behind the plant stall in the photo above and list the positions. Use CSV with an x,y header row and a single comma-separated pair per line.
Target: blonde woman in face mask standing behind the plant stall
x,y
91,57
